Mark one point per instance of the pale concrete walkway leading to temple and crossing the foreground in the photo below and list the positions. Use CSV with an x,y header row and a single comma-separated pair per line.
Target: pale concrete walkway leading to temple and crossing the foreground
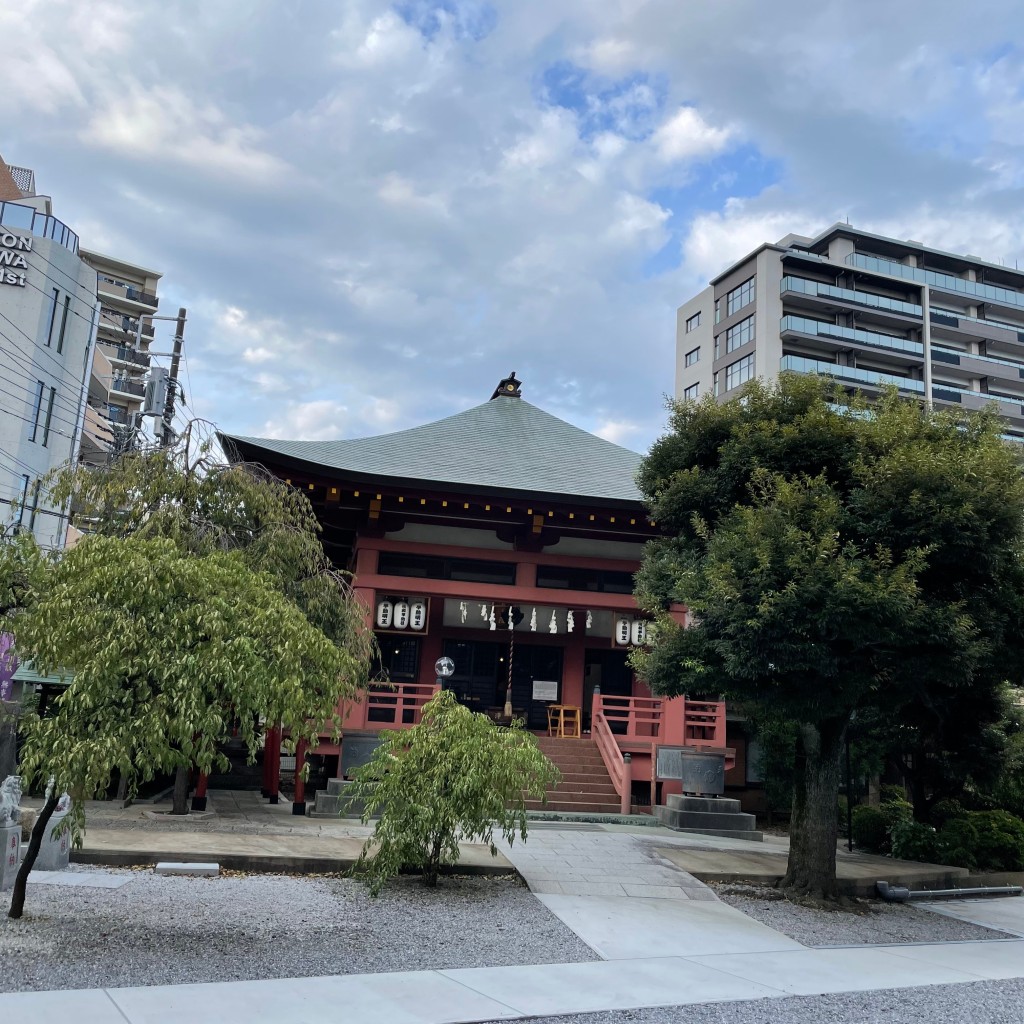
x,y
665,938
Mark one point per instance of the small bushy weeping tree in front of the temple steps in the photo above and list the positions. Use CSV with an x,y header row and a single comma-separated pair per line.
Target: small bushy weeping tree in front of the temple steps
x,y
454,777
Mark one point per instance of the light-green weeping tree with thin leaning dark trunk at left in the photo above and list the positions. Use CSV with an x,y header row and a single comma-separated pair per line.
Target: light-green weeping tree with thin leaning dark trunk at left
x,y
167,650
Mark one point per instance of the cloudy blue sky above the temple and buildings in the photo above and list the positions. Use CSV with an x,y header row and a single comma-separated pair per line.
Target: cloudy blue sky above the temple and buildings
x,y
375,211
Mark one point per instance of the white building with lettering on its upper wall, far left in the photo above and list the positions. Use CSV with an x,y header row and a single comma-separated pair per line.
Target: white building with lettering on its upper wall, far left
x,y
48,330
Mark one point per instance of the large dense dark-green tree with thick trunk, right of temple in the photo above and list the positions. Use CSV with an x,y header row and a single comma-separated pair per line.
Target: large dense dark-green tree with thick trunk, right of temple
x,y
836,562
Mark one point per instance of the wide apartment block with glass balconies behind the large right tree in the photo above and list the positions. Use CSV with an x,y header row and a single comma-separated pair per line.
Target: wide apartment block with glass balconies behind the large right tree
x,y
867,311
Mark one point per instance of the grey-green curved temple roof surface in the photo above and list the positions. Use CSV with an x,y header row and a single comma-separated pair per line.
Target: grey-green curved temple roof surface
x,y
503,446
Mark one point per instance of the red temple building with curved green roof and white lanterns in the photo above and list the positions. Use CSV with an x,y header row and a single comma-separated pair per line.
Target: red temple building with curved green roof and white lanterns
x,y
504,540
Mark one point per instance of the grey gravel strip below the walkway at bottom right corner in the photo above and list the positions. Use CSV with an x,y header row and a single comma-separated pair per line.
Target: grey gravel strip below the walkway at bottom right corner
x,y
979,1003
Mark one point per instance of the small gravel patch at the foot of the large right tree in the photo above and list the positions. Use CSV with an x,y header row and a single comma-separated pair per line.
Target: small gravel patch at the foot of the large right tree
x,y
869,922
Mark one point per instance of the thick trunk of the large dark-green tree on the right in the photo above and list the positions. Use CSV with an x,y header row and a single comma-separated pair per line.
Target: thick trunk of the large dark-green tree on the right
x,y
815,827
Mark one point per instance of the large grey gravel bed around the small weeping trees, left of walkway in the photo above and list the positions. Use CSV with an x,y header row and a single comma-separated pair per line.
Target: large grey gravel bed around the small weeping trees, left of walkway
x,y
158,931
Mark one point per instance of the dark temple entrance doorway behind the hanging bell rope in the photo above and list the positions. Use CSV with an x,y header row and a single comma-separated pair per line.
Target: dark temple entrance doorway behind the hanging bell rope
x,y
482,677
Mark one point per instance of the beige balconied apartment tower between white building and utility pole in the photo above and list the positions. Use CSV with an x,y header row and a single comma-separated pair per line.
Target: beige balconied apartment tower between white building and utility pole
x,y
127,295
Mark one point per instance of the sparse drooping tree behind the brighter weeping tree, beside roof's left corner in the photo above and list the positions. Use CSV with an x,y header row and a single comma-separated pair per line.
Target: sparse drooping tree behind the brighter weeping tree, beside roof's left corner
x,y
192,496
